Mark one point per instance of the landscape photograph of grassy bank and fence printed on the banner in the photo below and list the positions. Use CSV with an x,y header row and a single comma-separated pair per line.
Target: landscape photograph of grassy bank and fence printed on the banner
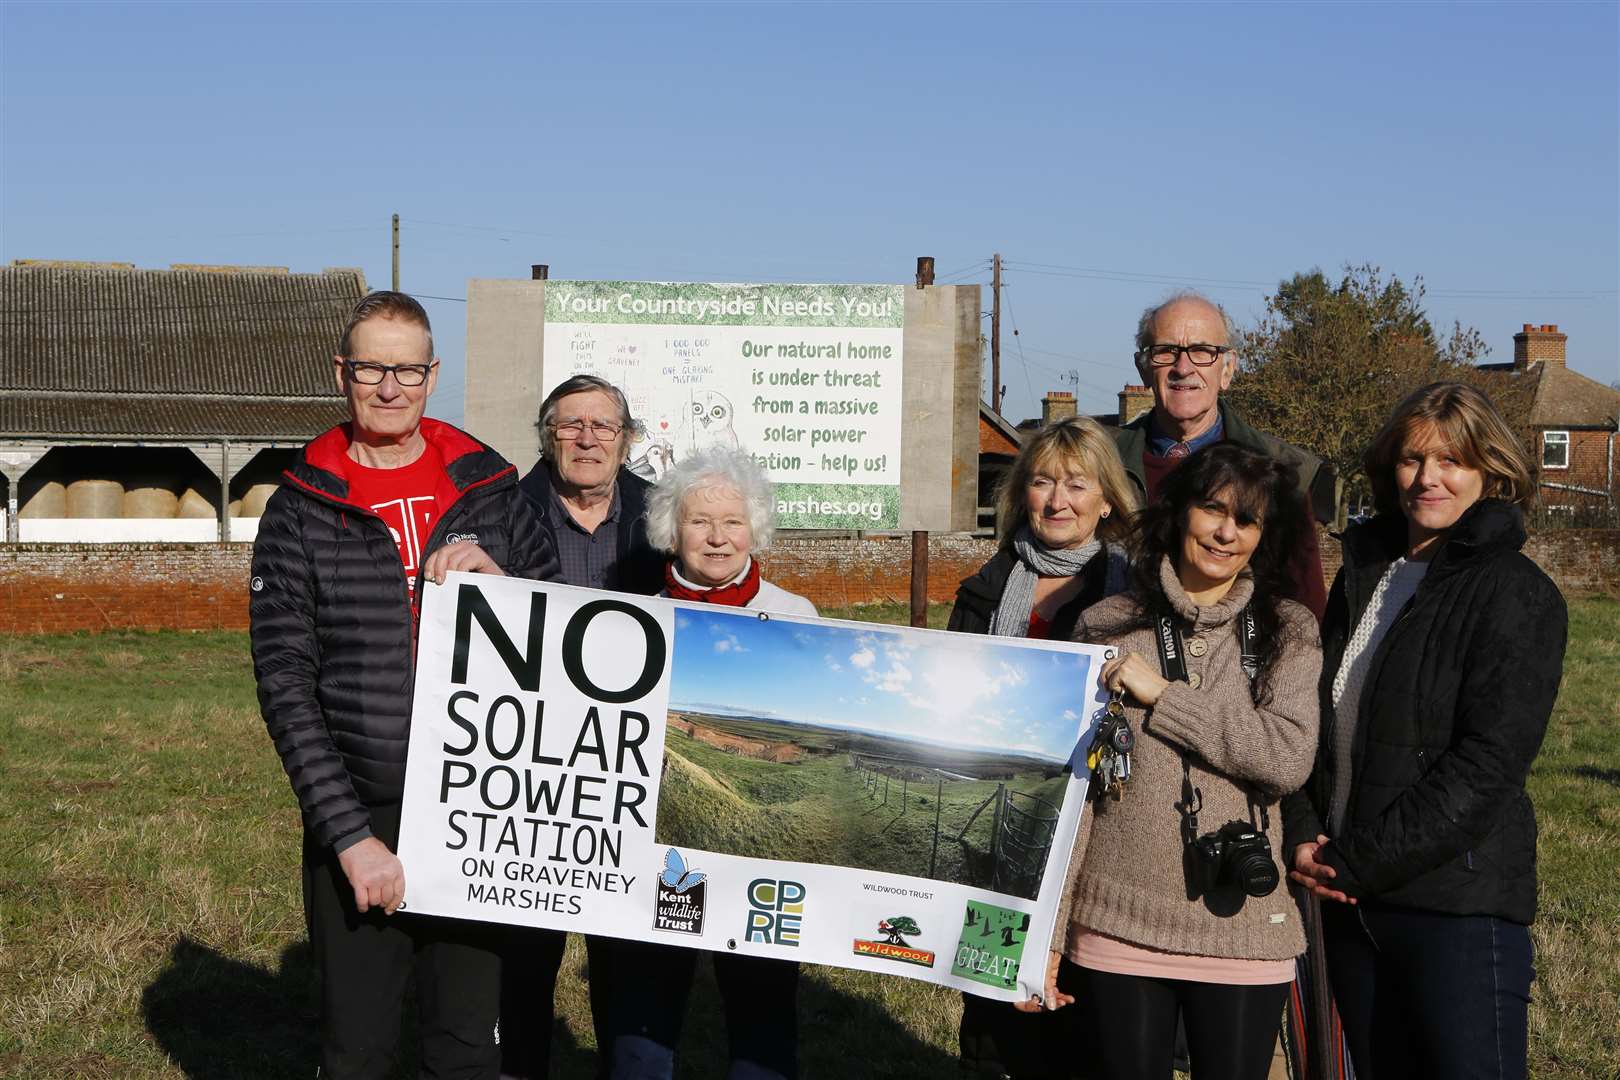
x,y
882,749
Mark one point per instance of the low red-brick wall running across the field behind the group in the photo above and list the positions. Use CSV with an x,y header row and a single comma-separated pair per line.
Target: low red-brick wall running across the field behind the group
x,y
54,589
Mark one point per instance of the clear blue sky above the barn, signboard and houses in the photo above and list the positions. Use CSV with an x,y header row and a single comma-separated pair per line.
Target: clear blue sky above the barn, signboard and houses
x,y
1109,151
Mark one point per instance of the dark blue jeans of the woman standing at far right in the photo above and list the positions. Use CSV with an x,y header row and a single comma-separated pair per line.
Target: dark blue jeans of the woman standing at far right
x,y
1428,995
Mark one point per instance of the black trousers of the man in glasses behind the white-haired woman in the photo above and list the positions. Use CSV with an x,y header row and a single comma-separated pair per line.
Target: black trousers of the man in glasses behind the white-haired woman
x,y
529,985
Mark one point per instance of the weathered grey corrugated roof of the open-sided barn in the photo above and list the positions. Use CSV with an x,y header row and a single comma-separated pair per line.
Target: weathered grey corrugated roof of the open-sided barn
x,y
108,351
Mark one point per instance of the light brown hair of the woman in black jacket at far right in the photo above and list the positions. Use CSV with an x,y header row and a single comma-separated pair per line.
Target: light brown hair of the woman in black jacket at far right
x,y
1470,427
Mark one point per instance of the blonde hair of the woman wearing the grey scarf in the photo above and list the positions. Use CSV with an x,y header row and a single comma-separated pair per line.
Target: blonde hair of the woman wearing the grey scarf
x,y
1070,446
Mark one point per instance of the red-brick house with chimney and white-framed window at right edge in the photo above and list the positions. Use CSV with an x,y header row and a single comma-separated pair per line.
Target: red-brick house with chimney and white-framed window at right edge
x,y
1575,423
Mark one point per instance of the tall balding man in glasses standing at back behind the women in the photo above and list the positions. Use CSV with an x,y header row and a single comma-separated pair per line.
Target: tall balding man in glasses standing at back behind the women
x,y
1185,355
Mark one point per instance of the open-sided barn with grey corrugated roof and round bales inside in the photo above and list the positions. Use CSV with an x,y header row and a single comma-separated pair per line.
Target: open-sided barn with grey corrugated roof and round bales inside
x,y
160,406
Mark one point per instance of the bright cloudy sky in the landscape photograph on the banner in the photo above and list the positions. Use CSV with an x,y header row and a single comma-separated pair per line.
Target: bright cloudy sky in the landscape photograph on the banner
x,y
936,687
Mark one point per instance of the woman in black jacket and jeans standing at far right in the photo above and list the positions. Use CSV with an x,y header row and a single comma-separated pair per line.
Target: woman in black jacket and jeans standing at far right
x,y
1443,653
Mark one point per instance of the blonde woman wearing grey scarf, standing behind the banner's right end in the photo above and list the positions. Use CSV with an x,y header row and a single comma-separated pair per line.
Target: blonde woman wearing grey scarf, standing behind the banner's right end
x,y
1064,512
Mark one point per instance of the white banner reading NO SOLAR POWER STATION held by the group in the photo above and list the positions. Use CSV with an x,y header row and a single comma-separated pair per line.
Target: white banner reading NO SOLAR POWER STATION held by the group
x,y
851,794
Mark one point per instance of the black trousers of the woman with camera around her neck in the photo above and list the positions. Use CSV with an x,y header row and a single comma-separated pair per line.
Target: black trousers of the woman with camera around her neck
x,y
1127,1026
